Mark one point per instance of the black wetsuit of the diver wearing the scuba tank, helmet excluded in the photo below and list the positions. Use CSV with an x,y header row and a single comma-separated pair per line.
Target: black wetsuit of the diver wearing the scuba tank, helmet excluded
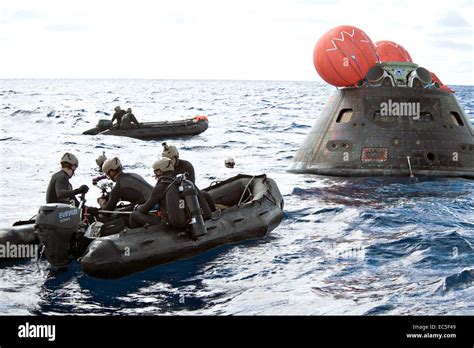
x,y
140,216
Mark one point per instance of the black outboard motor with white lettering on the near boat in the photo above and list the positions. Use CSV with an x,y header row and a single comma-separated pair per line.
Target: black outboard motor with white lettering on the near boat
x,y
57,225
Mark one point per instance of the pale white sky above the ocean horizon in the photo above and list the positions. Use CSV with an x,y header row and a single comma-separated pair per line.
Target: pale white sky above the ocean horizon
x,y
221,39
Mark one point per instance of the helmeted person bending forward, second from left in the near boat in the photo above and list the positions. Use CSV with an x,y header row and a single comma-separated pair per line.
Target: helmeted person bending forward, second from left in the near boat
x,y
128,186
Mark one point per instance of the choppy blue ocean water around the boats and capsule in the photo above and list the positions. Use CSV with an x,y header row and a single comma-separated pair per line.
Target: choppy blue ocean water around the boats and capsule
x,y
359,246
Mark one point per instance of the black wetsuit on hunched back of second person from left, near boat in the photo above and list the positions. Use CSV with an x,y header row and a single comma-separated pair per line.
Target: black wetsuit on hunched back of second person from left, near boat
x,y
129,187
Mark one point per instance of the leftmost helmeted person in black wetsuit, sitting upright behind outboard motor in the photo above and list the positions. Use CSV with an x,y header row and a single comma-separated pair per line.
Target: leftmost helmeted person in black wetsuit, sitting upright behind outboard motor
x,y
59,188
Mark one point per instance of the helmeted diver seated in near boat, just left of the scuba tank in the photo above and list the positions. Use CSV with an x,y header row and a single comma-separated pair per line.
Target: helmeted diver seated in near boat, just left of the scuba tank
x,y
163,169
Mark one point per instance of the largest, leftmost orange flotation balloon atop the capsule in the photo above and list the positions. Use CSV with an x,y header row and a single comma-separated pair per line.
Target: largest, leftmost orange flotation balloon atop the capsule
x,y
344,55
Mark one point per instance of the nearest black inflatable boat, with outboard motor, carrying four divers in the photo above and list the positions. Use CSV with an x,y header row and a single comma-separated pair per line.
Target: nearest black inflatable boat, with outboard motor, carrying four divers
x,y
248,207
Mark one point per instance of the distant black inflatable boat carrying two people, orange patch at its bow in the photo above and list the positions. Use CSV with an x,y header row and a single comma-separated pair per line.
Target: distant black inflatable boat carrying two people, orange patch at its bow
x,y
154,130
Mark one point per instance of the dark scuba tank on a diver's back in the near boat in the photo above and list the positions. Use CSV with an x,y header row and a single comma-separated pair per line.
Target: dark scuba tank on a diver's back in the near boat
x,y
188,192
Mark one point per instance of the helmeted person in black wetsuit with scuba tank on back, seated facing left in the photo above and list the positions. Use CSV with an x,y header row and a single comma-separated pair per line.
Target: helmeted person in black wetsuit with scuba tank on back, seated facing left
x,y
163,196
